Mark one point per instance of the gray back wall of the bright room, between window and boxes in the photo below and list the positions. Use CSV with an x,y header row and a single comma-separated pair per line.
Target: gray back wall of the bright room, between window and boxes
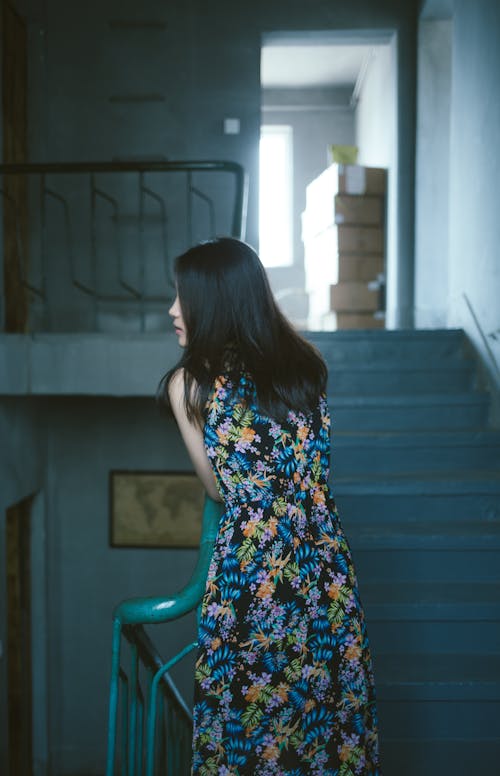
x,y
318,117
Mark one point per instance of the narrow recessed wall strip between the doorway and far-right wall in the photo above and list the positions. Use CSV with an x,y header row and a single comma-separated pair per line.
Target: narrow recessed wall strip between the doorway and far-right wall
x,y
433,173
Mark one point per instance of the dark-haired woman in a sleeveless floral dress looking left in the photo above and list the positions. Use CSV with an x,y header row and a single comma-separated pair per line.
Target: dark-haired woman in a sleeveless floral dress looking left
x,y
283,680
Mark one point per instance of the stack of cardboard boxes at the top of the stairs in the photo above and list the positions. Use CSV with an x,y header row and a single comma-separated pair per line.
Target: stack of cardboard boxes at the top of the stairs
x,y
344,239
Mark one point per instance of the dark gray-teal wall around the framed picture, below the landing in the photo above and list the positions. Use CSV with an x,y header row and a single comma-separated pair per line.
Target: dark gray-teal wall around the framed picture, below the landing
x,y
87,578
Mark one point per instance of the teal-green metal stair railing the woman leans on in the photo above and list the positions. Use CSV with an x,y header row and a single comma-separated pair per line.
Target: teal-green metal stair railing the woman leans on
x,y
150,724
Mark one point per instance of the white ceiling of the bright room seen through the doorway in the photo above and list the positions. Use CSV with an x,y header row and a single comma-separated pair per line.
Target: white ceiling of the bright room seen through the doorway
x,y
310,66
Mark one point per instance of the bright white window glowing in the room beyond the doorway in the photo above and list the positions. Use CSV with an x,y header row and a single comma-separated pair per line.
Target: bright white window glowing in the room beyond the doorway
x,y
275,196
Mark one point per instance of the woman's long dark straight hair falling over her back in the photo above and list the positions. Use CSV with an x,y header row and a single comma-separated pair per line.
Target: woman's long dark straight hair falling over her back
x,y
234,325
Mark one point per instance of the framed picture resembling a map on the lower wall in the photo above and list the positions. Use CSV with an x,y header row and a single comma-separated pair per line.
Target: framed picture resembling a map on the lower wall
x,y
155,509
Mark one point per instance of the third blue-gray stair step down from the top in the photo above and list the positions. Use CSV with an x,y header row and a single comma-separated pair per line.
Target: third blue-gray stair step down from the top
x,y
412,411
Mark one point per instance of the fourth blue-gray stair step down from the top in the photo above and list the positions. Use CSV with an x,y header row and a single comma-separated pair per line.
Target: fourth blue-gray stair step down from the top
x,y
397,452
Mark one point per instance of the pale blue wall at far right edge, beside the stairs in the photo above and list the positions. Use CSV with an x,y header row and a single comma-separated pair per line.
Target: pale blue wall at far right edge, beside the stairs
x,y
474,269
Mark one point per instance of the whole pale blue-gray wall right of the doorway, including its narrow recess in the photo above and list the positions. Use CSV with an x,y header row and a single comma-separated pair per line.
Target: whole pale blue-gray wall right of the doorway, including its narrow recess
x,y
457,274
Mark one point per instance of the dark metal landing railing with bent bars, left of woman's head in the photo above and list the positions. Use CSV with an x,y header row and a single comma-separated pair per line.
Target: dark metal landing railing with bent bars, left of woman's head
x,y
86,234
